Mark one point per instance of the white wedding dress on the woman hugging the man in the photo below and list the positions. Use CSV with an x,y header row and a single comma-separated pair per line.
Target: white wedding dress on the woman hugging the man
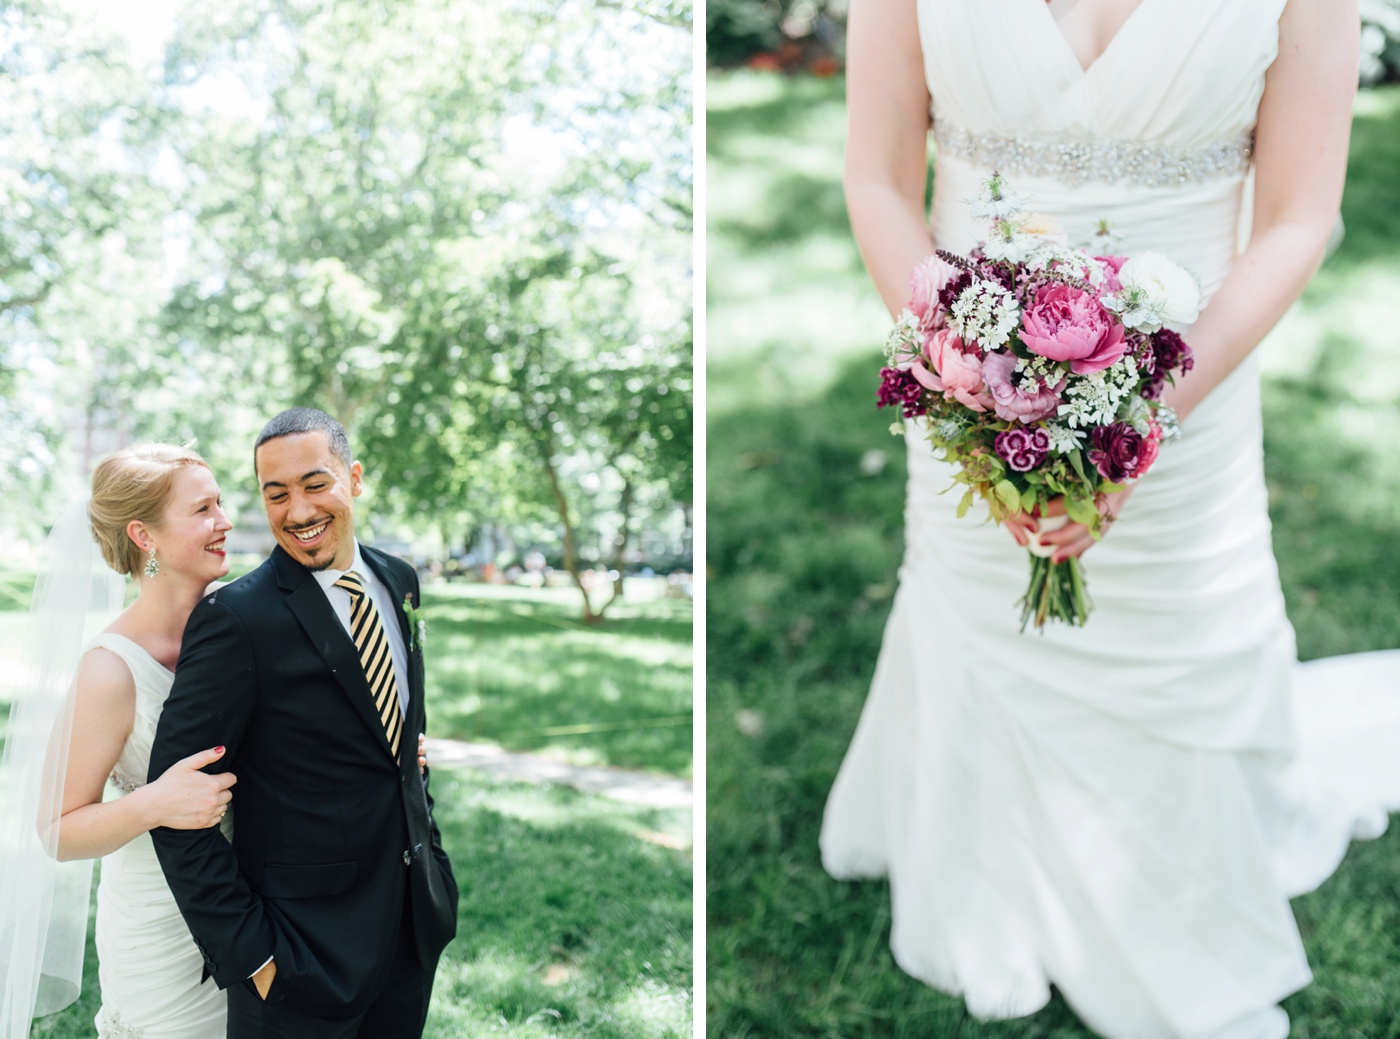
x,y
149,965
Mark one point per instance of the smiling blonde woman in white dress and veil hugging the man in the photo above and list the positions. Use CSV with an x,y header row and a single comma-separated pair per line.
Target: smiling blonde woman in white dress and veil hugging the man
x,y
156,515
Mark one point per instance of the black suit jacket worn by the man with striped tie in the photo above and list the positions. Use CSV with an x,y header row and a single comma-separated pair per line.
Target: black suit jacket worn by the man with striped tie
x,y
331,837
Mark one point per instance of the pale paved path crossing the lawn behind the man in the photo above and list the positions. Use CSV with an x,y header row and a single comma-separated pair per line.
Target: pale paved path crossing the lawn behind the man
x,y
621,785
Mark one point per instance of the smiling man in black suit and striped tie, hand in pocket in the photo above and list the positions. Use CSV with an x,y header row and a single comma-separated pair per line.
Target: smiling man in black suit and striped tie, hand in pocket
x,y
327,915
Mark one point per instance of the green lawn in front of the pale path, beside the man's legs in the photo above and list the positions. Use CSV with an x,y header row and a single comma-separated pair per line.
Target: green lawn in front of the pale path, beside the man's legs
x,y
575,921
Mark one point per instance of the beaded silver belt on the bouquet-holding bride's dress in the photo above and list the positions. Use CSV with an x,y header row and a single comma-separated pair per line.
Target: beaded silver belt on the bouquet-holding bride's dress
x,y
1077,156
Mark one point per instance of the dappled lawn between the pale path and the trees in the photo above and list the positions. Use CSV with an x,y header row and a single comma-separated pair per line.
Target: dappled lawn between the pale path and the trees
x,y
517,671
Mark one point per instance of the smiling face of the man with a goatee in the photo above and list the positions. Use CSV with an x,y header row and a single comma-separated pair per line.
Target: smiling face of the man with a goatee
x,y
309,495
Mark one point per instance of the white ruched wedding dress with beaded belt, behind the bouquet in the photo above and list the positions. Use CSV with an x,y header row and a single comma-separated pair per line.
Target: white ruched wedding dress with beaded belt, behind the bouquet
x,y
1121,810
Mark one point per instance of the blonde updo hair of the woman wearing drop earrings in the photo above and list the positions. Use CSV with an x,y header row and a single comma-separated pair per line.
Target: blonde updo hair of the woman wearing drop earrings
x,y
134,484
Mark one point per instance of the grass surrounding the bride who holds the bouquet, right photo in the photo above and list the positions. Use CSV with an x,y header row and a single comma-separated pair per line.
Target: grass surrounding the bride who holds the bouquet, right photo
x,y
806,499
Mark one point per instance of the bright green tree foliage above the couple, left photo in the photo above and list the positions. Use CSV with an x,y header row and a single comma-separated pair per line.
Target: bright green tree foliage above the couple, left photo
x,y
376,209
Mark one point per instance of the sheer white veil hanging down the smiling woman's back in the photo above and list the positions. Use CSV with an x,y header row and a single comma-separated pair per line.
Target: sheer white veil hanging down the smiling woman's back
x,y
44,904
